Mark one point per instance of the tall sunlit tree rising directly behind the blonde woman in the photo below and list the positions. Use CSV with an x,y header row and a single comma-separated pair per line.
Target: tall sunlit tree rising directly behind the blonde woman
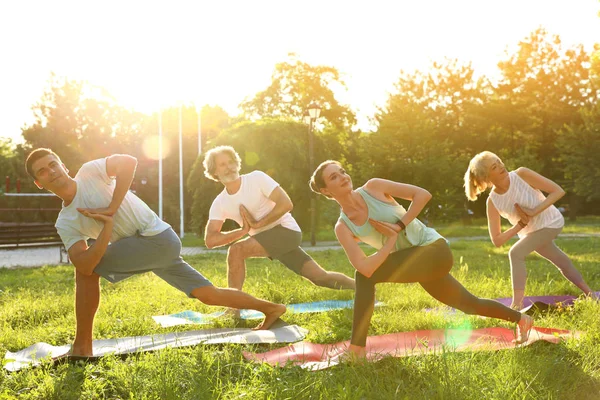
x,y
542,89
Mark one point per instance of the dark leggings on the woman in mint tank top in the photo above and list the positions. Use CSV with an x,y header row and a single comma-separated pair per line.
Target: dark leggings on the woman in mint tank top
x,y
429,266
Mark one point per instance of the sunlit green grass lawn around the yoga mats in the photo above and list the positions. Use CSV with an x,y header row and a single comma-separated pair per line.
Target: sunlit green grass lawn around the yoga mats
x,y
37,305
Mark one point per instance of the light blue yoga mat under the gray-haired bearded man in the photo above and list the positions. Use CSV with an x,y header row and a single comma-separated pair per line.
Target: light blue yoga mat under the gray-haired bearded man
x,y
193,317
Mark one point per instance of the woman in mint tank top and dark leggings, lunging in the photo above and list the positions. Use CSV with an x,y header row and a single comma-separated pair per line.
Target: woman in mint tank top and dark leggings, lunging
x,y
407,250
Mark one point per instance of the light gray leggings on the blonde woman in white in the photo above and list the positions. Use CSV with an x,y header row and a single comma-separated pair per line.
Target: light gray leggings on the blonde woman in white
x,y
542,242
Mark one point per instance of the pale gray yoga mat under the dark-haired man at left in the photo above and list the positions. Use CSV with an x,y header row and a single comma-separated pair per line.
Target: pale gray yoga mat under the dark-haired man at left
x,y
280,332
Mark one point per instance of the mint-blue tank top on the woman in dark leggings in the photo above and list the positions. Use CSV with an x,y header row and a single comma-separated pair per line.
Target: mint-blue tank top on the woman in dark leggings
x,y
415,234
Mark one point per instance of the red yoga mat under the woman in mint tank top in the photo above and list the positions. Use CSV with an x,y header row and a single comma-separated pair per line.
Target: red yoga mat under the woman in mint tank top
x,y
314,357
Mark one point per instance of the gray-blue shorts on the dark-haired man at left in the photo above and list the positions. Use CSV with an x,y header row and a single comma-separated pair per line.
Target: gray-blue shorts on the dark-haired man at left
x,y
159,254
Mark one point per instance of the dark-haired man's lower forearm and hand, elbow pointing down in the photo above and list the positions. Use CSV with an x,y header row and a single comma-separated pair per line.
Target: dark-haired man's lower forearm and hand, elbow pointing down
x,y
85,258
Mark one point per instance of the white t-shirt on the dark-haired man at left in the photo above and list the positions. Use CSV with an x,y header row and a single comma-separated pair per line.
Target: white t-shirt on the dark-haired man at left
x,y
95,190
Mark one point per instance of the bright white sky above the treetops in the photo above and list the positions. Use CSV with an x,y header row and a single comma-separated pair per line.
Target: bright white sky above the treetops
x,y
151,54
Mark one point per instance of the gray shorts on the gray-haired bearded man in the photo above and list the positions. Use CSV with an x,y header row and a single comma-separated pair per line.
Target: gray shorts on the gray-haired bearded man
x,y
283,244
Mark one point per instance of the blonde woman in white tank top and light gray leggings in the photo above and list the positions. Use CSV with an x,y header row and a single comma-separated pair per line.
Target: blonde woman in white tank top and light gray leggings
x,y
517,196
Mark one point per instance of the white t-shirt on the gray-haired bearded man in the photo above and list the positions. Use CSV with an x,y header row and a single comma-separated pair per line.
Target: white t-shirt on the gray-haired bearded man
x,y
254,194
